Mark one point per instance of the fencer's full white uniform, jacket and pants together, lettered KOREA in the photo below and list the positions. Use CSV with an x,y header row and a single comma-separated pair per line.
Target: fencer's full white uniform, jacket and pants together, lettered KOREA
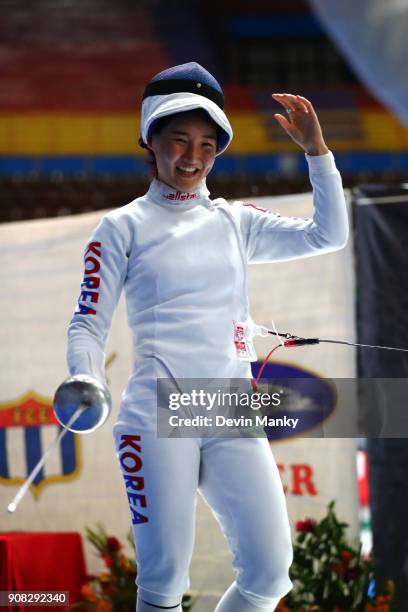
x,y
181,259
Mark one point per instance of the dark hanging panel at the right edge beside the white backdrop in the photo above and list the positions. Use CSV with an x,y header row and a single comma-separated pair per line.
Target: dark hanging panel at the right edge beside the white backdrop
x,y
381,241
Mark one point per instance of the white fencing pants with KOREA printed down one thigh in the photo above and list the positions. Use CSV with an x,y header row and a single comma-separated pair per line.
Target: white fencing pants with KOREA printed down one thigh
x,y
238,478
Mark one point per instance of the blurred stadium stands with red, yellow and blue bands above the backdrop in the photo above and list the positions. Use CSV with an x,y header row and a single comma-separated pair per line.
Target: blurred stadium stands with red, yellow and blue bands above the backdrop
x,y
72,75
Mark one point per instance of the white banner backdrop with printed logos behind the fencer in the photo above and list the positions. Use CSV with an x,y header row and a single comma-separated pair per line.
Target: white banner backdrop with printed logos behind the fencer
x,y
40,272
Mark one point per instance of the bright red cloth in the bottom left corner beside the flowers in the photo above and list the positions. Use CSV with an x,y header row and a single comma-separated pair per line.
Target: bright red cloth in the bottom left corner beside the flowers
x,y
42,562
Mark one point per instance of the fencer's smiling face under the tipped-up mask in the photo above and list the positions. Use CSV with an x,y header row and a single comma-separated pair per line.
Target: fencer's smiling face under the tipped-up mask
x,y
184,150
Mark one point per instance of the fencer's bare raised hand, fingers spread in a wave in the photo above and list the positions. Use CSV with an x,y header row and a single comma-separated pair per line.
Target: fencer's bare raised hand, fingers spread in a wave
x,y
302,123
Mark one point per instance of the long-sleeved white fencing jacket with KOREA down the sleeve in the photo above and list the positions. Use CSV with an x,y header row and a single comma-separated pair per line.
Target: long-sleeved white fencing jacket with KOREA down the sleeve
x,y
182,260
